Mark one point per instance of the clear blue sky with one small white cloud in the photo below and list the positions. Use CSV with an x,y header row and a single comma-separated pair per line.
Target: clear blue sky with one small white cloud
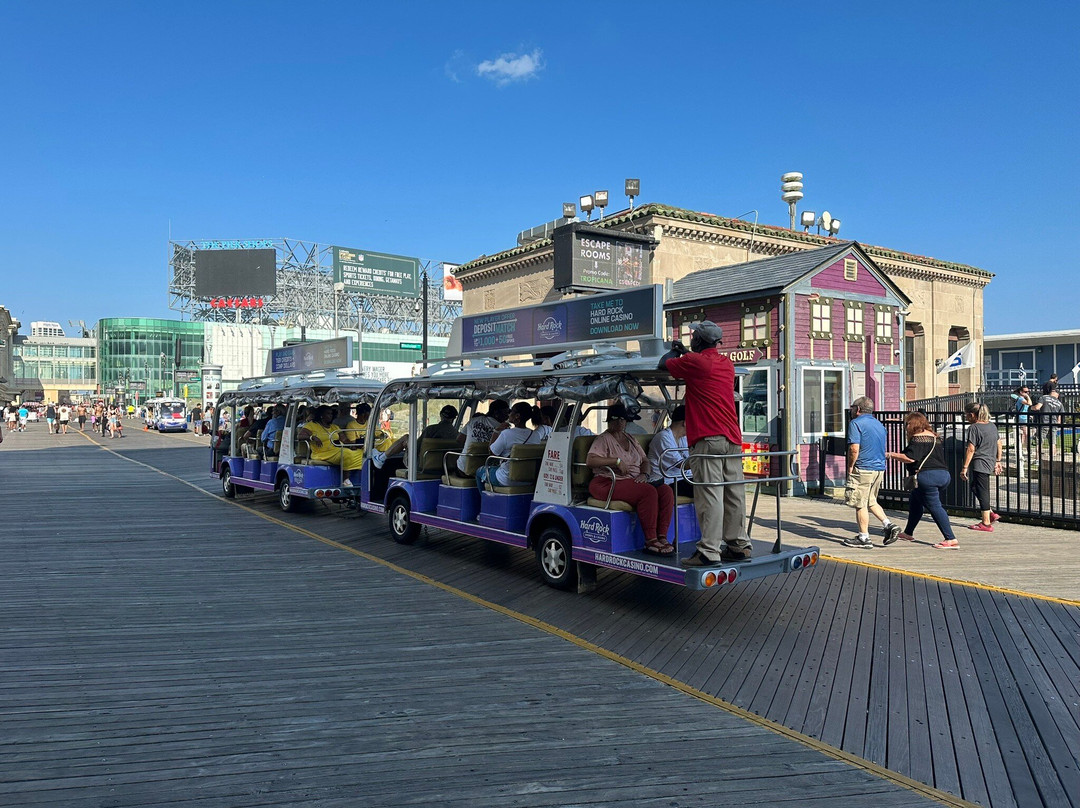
x,y
441,130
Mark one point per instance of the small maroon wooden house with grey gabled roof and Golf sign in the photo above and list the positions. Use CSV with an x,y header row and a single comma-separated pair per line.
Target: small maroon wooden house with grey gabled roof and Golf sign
x,y
816,330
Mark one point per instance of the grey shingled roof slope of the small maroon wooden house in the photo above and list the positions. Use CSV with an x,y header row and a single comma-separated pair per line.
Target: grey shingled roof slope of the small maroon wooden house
x,y
761,276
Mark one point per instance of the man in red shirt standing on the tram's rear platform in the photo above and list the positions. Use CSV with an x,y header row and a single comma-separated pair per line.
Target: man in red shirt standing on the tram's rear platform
x,y
712,428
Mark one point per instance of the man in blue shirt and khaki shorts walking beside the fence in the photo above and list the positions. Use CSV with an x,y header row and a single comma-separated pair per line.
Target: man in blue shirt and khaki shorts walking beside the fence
x,y
867,446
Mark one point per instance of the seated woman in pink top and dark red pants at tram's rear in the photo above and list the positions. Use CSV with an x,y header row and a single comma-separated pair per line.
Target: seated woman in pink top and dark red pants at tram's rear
x,y
620,453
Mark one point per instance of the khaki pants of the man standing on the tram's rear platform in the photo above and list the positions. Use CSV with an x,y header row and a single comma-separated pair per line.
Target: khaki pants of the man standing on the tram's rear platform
x,y
722,510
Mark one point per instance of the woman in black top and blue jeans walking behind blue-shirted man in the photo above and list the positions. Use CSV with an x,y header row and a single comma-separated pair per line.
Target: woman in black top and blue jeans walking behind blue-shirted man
x,y
925,456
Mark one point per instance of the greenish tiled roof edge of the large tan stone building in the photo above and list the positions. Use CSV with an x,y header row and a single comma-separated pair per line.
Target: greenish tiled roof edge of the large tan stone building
x,y
654,209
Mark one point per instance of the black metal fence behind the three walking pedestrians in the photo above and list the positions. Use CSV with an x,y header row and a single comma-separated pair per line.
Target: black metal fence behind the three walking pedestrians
x,y
1039,480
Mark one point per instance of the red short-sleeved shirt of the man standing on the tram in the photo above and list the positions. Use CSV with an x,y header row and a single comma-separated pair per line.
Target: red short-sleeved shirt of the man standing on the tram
x,y
710,396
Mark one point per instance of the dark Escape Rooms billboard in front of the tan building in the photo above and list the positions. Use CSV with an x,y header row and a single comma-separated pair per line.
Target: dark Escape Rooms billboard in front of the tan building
x,y
598,259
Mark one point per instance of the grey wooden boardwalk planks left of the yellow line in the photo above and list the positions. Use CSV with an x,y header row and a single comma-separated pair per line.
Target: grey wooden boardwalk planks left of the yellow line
x,y
159,647
